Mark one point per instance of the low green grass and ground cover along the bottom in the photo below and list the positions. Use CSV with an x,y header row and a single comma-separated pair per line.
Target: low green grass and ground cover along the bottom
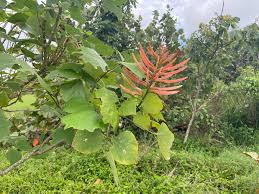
x,y
192,171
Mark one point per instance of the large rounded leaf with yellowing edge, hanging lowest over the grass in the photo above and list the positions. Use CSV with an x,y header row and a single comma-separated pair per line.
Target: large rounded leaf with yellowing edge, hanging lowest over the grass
x,y
125,148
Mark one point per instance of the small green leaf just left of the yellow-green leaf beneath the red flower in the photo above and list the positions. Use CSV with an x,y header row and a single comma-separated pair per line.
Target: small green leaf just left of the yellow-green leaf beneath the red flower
x,y
128,107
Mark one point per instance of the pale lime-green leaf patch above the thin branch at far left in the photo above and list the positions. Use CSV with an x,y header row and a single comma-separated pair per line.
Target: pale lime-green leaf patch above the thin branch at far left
x,y
25,103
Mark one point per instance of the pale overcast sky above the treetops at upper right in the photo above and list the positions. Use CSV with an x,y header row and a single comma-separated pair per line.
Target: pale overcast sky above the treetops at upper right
x,y
191,13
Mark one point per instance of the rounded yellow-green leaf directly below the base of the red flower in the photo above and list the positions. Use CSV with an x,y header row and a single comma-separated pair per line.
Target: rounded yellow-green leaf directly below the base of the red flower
x,y
152,104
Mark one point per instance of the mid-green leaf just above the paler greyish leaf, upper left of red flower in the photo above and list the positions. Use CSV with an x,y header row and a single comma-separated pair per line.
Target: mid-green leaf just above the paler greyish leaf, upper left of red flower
x,y
99,46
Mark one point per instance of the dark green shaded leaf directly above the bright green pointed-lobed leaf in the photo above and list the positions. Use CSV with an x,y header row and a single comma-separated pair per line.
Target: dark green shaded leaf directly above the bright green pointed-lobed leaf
x,y
72,89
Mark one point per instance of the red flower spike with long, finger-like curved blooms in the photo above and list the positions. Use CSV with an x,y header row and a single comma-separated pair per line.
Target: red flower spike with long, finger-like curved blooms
x,y
156,74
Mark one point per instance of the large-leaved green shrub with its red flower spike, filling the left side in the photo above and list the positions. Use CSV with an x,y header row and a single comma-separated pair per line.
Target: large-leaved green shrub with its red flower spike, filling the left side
x,y
65,85
